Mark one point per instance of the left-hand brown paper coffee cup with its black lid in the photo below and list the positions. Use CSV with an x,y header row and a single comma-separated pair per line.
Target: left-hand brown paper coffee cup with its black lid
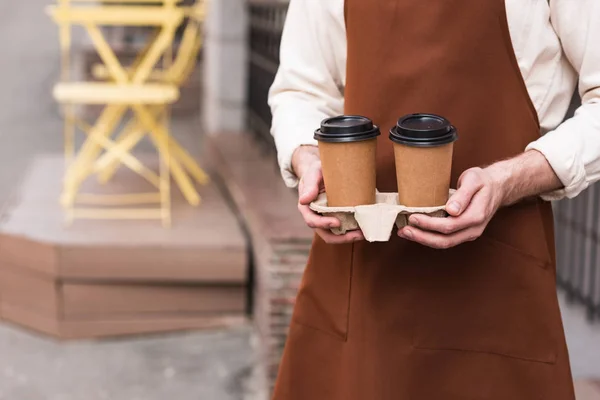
x,y
347,146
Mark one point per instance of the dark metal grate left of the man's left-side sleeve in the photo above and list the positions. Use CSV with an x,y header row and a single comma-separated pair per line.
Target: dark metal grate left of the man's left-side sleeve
x,y
266,26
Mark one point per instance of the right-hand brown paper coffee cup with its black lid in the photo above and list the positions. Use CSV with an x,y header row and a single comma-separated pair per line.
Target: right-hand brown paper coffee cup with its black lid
x,y
423,147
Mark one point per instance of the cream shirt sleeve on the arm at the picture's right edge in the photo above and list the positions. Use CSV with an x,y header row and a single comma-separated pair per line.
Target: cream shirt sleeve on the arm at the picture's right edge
x,y
573,149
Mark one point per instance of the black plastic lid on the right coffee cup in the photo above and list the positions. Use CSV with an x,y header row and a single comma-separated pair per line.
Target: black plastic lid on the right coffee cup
x,y
423,130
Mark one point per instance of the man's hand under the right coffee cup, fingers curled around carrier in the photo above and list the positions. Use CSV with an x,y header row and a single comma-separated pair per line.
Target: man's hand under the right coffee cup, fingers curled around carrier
x,y
471,208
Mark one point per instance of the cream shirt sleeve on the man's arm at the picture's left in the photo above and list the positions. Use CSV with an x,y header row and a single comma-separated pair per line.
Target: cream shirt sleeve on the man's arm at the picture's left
x,y
308,86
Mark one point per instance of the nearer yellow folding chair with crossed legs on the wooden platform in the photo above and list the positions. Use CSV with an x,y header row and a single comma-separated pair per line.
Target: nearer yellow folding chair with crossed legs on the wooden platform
x,y
129,91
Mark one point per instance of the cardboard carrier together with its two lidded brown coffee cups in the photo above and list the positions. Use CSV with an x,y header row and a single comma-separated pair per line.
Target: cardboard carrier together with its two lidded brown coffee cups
x,y
423,145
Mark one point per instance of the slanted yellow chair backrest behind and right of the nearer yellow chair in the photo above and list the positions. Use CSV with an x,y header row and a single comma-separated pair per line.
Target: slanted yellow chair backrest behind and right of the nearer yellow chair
x,y
189,47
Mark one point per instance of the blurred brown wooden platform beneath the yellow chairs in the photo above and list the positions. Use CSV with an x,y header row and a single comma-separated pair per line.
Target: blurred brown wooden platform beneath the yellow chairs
x,y
104,278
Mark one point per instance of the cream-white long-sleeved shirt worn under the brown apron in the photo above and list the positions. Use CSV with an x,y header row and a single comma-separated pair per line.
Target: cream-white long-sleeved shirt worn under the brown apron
x,y
554,43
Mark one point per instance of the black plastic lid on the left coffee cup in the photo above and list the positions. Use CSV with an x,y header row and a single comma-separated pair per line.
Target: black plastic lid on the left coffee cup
x,y
346,128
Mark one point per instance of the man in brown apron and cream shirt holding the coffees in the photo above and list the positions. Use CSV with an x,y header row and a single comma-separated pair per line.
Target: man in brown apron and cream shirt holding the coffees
x,y
456,308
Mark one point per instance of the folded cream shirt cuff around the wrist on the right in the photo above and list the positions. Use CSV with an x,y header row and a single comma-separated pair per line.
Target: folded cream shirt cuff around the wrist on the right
x,y
566,162
